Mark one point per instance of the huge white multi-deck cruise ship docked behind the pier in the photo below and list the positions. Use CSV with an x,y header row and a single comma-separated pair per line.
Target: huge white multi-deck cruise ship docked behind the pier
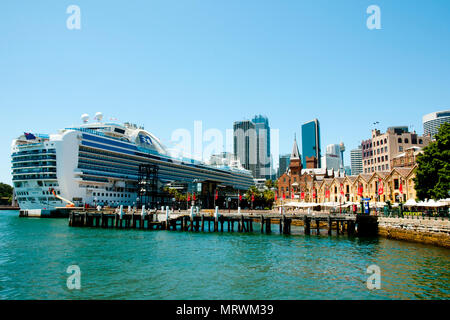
x,y
98,163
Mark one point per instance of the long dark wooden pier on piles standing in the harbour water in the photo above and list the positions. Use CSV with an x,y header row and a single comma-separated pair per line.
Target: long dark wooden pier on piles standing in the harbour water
x,y
242,222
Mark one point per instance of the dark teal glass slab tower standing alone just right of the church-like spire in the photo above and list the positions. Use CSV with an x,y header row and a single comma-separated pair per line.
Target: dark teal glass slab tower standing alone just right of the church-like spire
x,y
311,144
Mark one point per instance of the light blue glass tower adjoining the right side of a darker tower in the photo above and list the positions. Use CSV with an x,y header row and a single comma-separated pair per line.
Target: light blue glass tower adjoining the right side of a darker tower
x,y
263,165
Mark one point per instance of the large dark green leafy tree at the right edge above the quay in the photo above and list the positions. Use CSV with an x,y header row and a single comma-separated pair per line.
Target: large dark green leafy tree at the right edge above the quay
x,y
432,179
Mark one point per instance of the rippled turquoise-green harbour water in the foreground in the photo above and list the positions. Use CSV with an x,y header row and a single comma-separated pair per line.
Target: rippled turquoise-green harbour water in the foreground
x,y
135,264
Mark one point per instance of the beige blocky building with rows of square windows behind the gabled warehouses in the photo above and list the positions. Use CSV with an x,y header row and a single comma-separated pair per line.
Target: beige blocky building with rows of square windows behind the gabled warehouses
x,y
383,147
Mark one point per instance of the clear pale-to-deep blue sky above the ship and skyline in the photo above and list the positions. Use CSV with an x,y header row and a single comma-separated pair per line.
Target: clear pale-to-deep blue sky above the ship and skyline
x,y
166,63
